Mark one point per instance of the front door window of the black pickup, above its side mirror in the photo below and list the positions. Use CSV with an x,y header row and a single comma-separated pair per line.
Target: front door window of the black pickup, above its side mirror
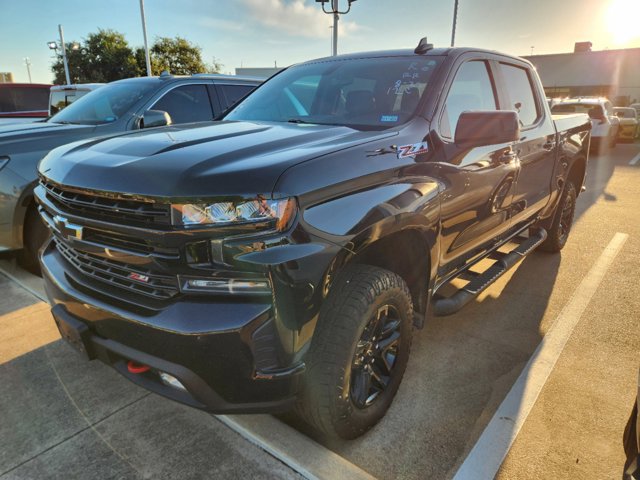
x,y
471,89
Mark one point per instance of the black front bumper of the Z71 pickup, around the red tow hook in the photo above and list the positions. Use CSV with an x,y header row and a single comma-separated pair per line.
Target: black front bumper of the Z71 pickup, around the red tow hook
x,y
213,349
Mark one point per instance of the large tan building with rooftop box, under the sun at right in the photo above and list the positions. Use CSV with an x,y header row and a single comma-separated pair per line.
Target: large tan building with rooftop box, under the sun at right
x,y
614,74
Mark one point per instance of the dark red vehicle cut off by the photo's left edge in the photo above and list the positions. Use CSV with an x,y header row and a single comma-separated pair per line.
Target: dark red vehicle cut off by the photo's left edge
x,y
23,102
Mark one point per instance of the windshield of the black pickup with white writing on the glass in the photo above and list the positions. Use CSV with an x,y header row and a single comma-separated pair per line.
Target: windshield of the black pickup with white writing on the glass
x,y
366,93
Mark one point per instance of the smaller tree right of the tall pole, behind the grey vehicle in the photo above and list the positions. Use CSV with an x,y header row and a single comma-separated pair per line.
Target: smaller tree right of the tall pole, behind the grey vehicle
x,y
177,55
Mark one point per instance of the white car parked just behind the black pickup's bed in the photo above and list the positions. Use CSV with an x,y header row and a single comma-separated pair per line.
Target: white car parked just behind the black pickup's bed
x,y
605,124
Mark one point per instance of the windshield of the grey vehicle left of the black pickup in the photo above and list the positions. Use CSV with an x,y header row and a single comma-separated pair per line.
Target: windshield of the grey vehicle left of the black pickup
x,y
104,105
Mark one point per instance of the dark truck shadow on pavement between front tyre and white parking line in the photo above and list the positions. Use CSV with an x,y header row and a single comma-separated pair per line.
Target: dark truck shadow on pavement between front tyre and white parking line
x,y
460,370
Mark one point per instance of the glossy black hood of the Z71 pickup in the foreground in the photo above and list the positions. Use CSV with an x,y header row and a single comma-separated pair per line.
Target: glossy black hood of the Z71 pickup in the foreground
x,y
197,161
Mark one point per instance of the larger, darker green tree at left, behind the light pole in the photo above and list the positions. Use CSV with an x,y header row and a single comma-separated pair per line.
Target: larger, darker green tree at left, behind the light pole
x,y
104,56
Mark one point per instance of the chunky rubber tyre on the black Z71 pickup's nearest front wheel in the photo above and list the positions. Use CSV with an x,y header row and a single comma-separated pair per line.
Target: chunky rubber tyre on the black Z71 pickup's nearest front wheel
x,y
357,295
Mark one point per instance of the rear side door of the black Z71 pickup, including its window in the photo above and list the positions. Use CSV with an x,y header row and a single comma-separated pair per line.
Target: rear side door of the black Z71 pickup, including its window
x,y
536,149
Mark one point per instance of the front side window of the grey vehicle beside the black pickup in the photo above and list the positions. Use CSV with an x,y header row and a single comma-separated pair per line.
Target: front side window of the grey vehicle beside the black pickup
x,y
187,103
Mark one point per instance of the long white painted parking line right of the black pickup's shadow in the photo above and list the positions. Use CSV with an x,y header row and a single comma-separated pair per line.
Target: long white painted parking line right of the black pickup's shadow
x,y
492,447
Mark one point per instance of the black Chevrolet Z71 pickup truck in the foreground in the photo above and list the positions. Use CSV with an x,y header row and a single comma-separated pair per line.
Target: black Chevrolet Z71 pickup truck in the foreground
x,y
281,257
